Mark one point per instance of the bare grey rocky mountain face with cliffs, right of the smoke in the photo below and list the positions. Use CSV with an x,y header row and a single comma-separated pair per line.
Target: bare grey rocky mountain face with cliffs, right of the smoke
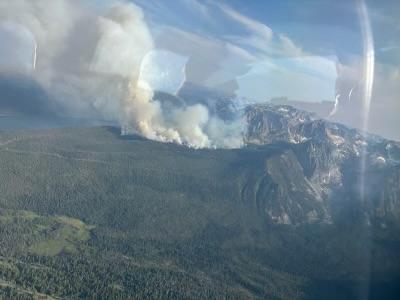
x,y
332,172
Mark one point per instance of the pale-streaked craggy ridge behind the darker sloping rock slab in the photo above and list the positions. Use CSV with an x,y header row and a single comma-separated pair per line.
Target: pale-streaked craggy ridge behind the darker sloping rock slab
x,y
331,158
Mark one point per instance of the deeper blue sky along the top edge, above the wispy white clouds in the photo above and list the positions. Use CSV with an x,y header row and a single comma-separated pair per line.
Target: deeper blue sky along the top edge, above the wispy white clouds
x,y
319,26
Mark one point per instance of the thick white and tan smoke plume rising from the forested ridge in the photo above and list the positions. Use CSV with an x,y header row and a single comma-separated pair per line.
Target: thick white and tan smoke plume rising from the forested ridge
x,y
89,60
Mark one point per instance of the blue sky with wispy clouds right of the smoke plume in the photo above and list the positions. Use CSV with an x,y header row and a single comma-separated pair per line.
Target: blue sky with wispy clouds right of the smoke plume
x,y
266,46
